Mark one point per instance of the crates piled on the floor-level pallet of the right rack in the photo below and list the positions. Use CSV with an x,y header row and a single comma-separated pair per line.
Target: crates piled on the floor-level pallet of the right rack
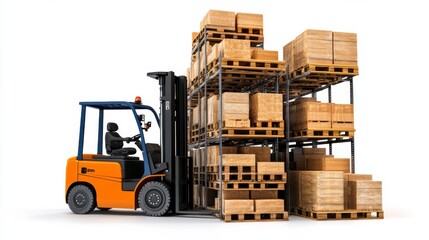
x,y
331,192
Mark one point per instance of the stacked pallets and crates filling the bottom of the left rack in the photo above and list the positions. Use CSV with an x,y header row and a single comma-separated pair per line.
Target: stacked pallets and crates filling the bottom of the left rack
x,y
249,185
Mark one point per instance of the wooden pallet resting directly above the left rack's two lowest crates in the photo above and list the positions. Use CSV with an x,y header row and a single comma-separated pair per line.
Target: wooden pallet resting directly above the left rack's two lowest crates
x,y
248,185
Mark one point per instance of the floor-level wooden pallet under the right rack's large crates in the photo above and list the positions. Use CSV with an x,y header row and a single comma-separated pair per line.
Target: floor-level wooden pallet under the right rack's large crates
x,y
338,215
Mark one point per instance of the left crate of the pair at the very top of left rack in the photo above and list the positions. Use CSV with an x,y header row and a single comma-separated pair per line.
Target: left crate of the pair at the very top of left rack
x,y
220,20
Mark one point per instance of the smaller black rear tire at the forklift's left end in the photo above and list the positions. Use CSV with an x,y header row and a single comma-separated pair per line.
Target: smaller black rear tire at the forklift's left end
x,y
81,199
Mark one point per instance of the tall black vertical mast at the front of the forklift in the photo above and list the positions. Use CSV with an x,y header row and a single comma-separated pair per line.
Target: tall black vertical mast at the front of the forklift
x,y
173,114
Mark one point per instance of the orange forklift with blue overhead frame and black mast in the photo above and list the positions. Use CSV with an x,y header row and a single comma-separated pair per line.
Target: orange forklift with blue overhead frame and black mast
x,y
159,183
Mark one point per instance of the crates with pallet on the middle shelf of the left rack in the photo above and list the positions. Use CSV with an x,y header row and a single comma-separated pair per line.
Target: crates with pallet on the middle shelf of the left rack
x,y
257,116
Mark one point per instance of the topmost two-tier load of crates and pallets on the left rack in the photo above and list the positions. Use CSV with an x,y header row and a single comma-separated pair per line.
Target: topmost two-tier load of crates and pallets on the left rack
x,y
233,42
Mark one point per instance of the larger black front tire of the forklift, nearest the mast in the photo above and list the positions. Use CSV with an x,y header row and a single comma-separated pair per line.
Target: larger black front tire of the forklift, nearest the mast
x,y
154,198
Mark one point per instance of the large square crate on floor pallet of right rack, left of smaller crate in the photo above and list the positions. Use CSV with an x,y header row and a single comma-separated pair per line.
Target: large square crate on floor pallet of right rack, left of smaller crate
x,y
321,190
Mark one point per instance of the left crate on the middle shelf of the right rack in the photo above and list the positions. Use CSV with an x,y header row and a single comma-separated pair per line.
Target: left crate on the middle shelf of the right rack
x,y
311,115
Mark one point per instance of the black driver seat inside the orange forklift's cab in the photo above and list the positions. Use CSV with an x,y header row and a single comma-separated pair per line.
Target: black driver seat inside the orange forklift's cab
x,y
115,143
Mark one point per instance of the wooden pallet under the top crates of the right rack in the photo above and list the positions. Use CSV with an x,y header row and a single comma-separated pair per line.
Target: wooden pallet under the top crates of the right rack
x,y
331,69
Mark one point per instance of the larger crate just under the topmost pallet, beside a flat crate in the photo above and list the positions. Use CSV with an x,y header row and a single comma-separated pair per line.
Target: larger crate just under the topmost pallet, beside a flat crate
x,y
235,49
